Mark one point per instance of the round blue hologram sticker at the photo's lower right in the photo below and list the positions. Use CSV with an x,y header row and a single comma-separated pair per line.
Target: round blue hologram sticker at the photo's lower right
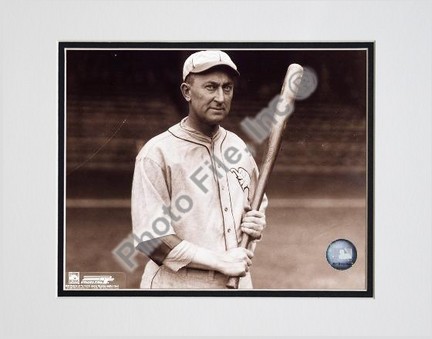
x,y
341,254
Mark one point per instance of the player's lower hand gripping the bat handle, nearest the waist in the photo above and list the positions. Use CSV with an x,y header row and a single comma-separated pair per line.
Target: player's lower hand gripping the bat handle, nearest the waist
x,y
235,262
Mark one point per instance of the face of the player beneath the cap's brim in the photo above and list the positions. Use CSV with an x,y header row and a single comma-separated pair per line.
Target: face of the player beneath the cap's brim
x,y
210,97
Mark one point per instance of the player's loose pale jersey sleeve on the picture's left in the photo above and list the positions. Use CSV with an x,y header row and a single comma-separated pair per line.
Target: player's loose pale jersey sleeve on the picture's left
x,y
150,202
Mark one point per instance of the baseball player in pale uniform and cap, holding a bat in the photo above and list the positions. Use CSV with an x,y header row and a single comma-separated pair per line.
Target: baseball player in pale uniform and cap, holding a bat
x,y
192,187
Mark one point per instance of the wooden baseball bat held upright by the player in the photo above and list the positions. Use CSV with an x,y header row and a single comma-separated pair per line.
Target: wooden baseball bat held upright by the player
x,y
284,109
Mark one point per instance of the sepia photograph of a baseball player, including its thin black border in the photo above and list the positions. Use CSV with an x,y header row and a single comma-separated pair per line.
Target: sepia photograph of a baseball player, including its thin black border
x,y
216,169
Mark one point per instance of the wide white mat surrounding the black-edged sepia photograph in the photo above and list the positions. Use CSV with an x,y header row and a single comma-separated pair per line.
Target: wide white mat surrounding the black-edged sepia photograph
x,y
30,31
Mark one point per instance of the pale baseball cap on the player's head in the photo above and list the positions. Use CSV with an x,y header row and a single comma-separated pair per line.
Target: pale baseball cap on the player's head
x,y
201,61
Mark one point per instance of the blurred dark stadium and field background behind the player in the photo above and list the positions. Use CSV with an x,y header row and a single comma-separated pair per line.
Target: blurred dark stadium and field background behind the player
x,y
116,100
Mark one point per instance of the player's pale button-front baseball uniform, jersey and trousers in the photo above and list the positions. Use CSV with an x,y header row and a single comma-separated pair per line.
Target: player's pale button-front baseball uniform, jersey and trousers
x,y
196,187
